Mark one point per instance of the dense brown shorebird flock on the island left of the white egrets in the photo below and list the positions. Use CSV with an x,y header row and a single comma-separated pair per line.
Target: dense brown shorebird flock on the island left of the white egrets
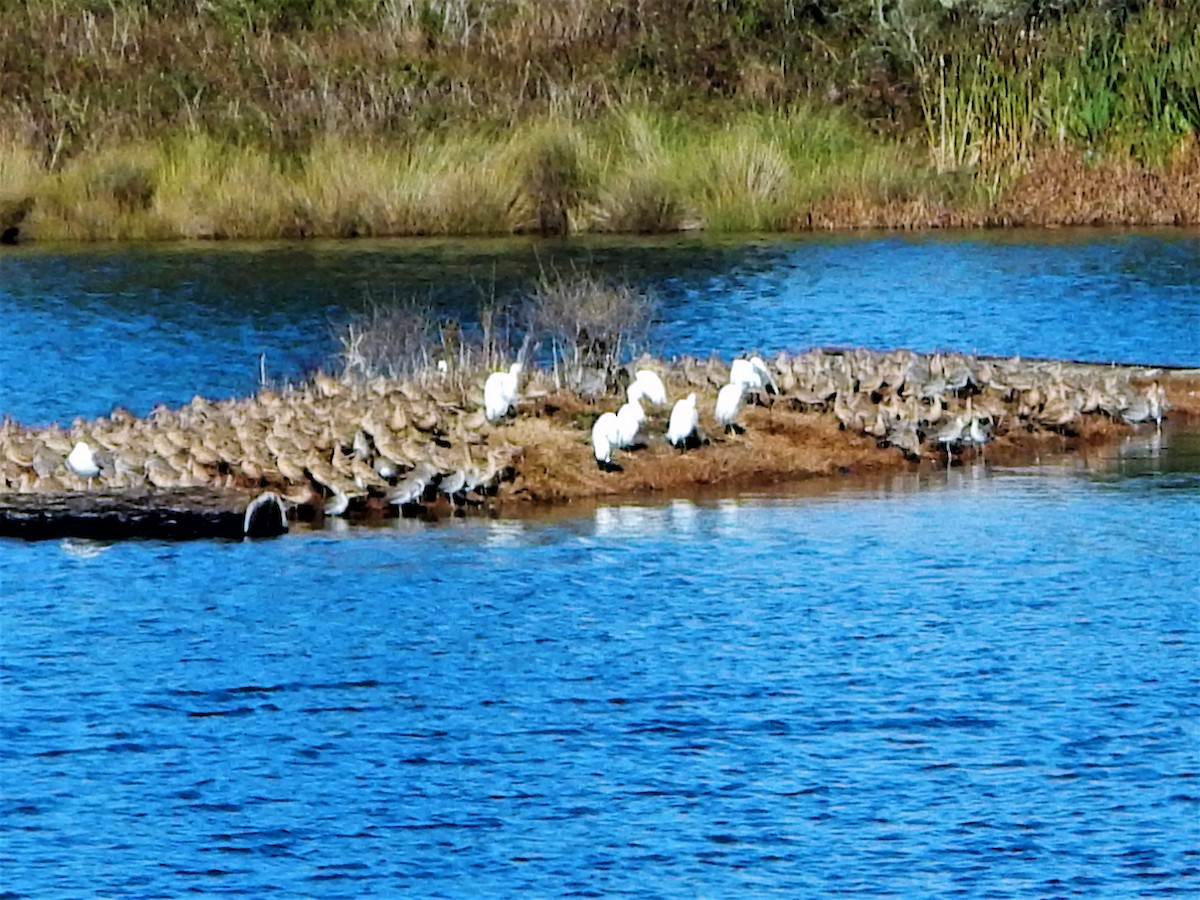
x,y
329,443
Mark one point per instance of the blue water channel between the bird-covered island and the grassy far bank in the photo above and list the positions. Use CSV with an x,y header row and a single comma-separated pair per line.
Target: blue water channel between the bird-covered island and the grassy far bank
x,y
147,325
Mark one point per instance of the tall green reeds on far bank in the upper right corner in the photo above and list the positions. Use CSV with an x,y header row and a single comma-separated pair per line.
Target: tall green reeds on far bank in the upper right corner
x,y
1123,86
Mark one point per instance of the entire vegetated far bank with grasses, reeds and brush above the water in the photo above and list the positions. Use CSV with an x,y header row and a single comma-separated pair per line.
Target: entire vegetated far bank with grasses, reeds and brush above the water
x,y
289,118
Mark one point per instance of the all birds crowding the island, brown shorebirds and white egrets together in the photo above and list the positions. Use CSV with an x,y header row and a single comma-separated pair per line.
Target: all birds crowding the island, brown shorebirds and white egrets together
x,y
339,445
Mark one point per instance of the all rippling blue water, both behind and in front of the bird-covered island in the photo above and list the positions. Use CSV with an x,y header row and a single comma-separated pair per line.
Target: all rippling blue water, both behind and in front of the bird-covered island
x,y
976,683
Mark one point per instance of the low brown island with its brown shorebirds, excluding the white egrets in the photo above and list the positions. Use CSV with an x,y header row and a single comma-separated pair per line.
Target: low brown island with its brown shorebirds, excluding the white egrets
x,y
380,448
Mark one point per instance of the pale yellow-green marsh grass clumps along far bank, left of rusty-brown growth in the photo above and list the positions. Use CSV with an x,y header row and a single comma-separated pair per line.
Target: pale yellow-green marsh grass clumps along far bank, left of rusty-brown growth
x,y
632,171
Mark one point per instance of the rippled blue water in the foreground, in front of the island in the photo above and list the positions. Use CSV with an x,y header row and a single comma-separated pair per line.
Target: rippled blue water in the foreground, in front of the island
x,y
986,685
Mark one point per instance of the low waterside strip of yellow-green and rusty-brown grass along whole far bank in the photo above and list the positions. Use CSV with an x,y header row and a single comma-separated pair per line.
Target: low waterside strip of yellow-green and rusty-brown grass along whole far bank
x,y
635,172
